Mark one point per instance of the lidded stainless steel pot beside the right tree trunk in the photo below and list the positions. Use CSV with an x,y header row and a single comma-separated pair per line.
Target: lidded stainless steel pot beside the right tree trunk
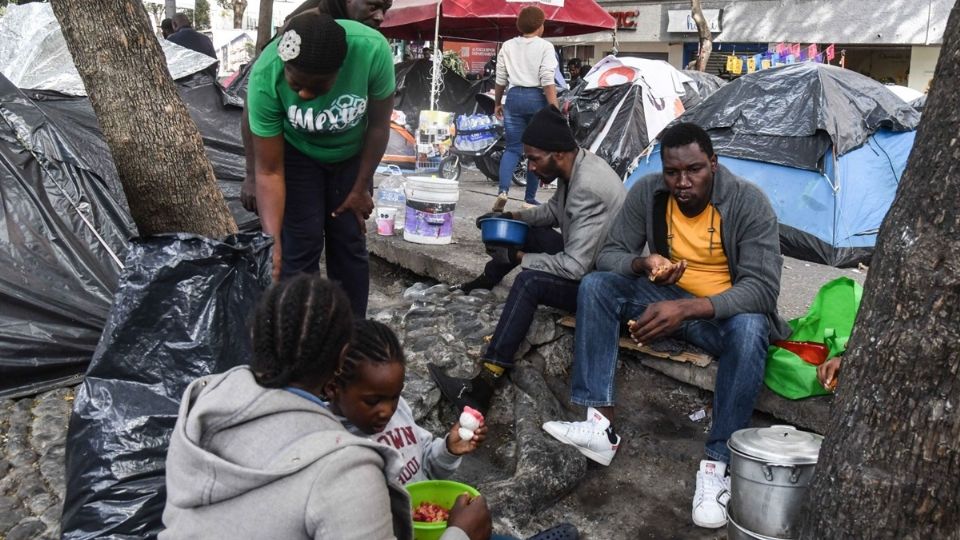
x,y
770,469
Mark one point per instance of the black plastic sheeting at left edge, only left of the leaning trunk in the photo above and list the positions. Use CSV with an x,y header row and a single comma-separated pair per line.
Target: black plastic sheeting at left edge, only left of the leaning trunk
x,y
65,233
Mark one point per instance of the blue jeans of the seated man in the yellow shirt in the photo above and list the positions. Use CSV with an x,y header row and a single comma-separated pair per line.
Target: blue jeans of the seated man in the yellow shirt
x,y
607,300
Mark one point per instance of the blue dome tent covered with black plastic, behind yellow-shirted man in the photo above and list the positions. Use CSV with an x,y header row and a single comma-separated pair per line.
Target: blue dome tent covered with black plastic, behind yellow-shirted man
x,y
827,145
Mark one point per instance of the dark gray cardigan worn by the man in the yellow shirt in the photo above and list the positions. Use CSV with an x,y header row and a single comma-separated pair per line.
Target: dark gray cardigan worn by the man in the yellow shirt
x,y
748,232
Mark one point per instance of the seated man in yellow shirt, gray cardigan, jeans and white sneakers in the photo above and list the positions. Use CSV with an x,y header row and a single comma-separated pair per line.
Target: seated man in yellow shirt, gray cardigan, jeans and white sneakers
x,y
712,278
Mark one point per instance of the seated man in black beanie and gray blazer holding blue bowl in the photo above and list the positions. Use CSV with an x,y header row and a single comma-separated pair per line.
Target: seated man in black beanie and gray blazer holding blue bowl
x,y
589,195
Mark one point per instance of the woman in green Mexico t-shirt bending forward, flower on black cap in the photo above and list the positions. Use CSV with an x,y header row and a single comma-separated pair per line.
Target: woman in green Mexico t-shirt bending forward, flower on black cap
x,y
319,132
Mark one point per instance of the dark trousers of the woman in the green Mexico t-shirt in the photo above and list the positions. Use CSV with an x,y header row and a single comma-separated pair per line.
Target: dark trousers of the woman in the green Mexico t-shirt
x,y
314,191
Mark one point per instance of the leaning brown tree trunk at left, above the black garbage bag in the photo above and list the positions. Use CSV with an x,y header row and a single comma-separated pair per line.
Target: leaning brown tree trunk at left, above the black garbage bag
x,y
156,147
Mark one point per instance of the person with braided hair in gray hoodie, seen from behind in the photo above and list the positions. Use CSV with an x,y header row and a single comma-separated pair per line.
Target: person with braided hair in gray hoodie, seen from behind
x,y
256,453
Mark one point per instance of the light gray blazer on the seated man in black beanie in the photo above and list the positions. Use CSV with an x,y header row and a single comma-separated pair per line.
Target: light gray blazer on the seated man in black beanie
x,y
584,209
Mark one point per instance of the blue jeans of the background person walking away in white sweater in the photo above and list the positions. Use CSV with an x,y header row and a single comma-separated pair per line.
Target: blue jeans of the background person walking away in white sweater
x,y
522,103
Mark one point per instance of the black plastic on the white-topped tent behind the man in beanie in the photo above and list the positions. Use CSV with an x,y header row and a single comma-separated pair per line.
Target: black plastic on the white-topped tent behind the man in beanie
x,y
590,110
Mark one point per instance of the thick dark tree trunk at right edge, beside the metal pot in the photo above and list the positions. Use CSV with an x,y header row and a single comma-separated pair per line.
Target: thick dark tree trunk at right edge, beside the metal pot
x,y
890,465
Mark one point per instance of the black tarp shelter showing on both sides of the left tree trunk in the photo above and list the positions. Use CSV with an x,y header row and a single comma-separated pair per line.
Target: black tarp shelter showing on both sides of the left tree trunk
x,y
60,196
